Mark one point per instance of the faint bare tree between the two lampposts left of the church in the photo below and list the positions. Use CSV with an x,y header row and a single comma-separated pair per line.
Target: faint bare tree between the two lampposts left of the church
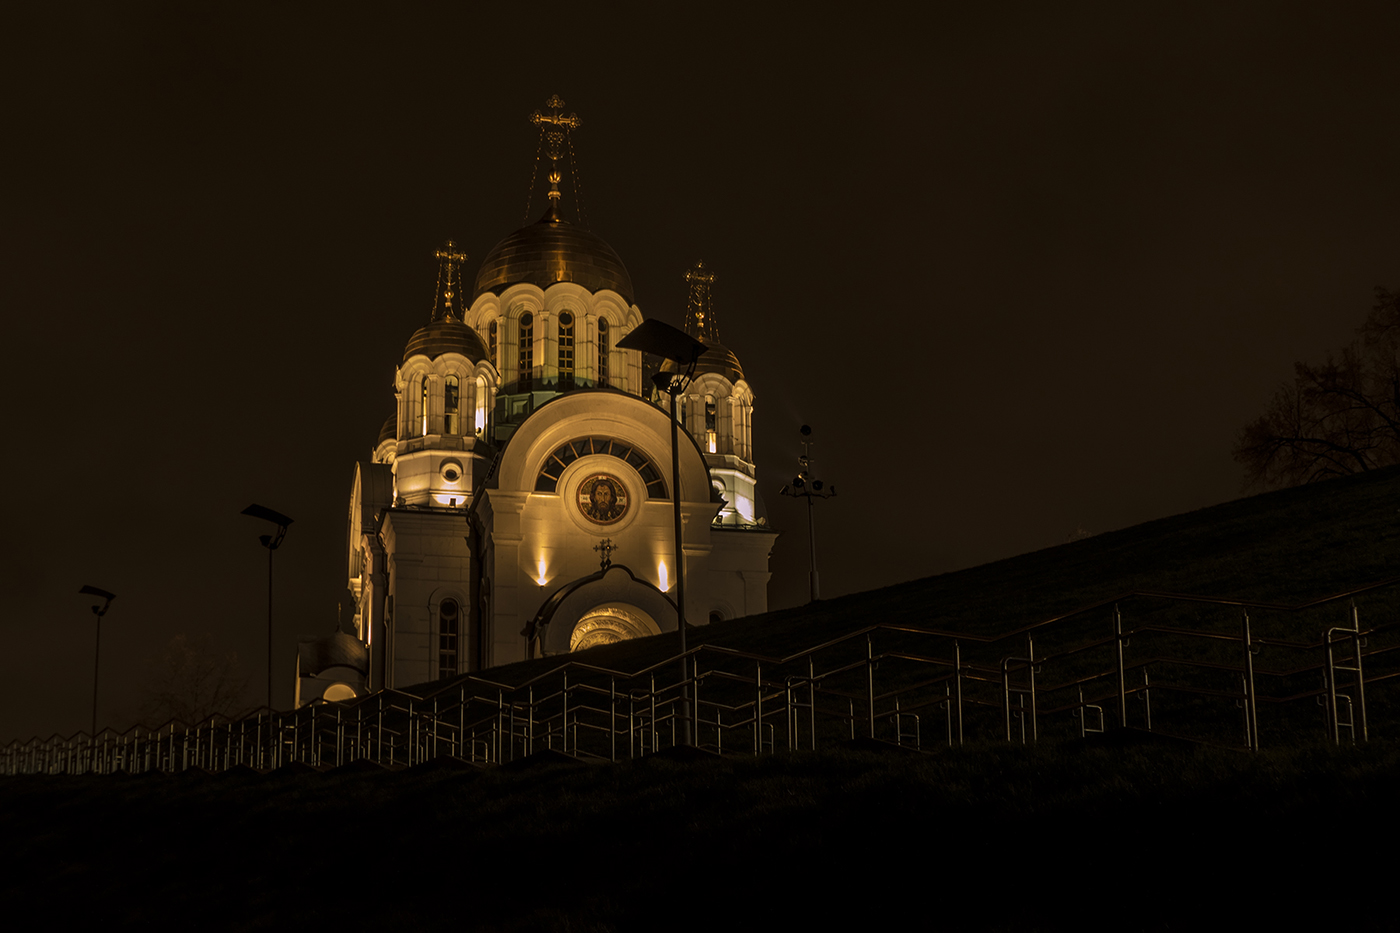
x,y
192,680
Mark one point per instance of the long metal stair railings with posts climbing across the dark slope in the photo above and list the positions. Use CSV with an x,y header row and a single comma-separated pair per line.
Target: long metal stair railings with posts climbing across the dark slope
x,y
1065,677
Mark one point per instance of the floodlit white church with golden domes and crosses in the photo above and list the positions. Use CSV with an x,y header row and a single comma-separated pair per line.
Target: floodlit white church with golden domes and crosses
x,y
519,501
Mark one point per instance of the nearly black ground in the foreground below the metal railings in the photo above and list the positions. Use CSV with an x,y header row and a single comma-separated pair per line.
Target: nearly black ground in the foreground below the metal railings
x,y
1074,837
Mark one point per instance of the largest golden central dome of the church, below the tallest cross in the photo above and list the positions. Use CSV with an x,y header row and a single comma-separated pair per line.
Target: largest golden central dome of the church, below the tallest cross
x,y
554,251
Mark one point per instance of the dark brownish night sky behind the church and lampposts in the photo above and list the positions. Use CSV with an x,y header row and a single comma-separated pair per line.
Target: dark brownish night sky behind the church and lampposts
x,y
1024,271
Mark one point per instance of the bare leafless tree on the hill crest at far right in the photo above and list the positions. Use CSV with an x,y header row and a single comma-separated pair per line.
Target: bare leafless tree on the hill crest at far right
x,y
1333,420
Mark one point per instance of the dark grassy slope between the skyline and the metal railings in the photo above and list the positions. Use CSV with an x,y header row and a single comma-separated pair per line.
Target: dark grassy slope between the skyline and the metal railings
x,y
1283,547
